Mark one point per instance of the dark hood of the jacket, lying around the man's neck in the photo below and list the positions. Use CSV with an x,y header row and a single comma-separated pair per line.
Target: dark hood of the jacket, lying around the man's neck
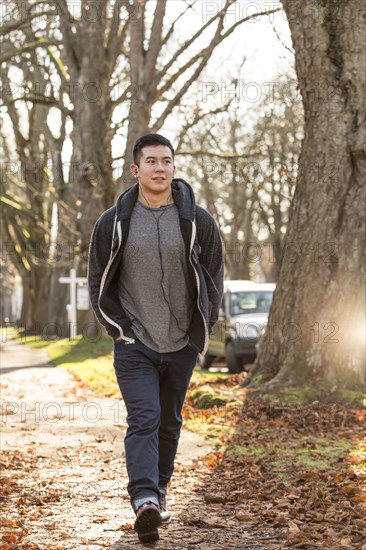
x,y
182,193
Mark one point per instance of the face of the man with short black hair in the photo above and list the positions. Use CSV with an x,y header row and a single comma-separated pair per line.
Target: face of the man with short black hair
x,y
156,169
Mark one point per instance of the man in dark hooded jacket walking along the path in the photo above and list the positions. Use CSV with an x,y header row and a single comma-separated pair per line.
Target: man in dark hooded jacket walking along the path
x,y
155,280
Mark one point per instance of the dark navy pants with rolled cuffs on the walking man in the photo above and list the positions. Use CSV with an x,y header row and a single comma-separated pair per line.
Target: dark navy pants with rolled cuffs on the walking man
x,y
153,386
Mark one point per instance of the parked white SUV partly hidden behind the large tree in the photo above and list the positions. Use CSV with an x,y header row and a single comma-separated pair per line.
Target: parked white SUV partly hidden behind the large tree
x,y
242,320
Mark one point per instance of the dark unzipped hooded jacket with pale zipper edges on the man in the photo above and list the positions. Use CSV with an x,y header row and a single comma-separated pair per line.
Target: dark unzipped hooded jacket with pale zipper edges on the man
x,y
203,254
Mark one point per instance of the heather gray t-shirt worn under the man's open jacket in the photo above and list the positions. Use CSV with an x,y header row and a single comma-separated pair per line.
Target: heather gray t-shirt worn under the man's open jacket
x,y
154,282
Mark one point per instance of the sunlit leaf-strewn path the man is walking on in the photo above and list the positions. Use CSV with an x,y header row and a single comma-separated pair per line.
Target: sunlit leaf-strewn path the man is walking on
x,y
63,474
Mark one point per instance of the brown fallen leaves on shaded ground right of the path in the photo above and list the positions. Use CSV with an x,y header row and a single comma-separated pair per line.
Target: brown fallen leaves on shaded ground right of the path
x,y
297,469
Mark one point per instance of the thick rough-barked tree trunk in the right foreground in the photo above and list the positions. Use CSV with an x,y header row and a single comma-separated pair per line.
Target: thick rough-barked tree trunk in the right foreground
x,y
317,321
